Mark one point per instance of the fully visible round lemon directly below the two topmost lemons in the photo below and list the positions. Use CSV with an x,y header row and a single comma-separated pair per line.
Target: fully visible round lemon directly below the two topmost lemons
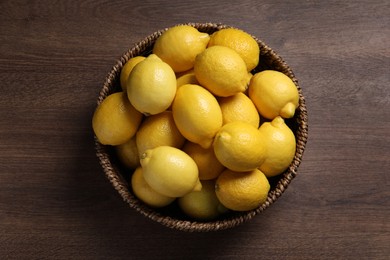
x,y
221,70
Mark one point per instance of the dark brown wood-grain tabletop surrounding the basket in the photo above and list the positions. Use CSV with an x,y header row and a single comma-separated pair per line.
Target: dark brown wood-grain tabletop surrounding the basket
x,y
56,203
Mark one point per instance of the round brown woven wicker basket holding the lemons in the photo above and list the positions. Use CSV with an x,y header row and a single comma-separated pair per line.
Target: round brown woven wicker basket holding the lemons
x,y
171,216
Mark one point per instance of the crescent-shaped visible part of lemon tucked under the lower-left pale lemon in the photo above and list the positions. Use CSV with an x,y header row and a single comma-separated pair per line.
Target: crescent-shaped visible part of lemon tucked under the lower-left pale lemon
x,y
145,193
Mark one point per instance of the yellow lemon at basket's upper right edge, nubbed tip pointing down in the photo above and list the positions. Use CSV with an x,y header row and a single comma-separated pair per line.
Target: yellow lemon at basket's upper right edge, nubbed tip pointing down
x,y
273,94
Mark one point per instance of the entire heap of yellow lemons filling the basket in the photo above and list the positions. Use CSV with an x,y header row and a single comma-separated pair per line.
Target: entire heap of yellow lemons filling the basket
x,y
187,122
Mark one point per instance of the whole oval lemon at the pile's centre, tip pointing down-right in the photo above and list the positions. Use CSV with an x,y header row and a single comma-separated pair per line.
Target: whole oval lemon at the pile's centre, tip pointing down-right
x,y
197,114
